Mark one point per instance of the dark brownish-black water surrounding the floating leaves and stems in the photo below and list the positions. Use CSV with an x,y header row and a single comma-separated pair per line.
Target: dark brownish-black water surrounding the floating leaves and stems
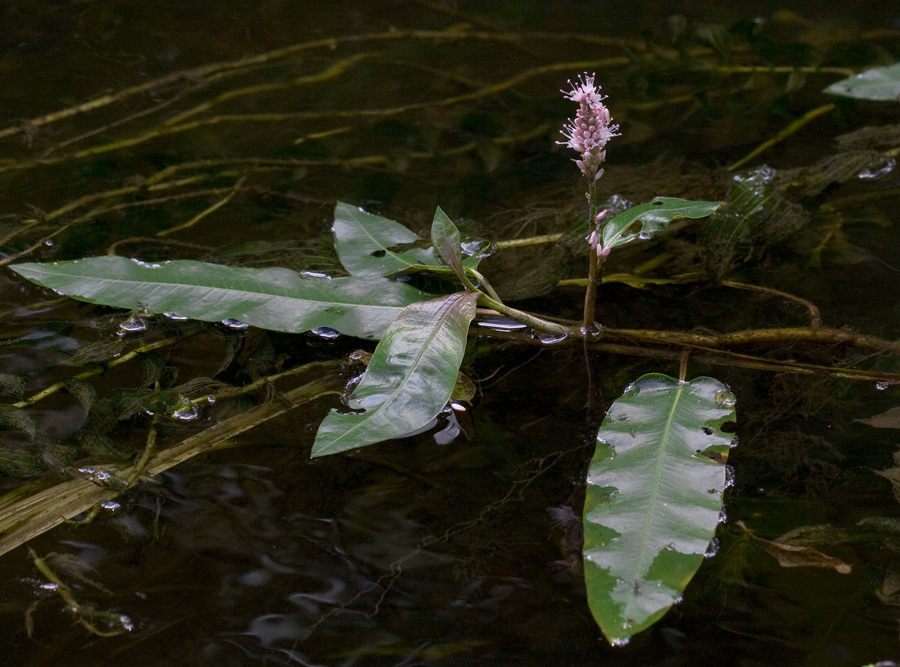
x,y
415,553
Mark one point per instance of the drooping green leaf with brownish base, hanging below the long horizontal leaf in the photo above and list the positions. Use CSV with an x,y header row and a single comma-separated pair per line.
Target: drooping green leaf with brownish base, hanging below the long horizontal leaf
x,y
410,378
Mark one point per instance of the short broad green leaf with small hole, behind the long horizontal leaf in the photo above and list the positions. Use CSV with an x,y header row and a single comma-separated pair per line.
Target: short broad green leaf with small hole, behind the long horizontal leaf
x,y
363,243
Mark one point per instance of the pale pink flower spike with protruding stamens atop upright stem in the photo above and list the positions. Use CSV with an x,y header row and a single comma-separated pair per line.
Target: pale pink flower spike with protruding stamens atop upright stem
x,y
592,128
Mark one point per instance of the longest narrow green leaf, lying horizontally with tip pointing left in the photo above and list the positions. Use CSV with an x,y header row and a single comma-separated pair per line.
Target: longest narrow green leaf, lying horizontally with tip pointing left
x,y
277,299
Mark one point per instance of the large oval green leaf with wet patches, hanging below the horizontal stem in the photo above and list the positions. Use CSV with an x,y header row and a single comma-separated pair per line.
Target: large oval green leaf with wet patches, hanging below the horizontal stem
x,y
653,498
